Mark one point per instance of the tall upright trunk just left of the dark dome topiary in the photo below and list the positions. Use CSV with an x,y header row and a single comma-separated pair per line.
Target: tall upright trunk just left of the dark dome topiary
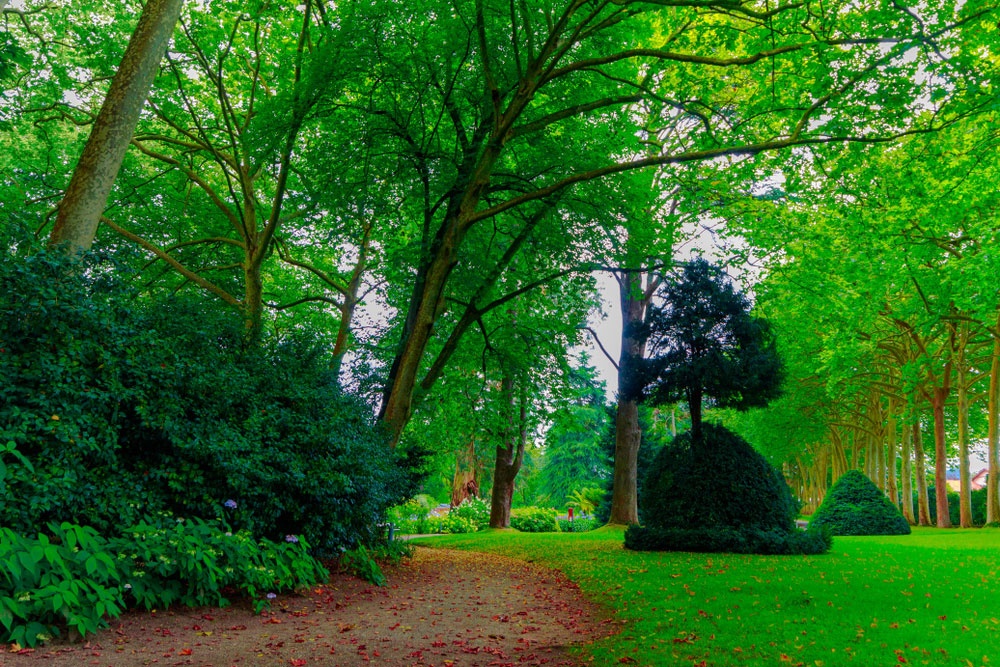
x,y
628,435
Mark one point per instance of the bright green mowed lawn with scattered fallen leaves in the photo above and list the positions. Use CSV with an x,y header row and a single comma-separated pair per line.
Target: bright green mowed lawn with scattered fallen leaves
x,y
930,598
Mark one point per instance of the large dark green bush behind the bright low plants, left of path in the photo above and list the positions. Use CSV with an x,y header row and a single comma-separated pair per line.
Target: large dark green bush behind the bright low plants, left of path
x,y
112,408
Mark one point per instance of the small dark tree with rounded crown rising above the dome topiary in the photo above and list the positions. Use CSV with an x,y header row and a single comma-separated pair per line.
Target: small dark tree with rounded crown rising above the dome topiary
x,y
704,343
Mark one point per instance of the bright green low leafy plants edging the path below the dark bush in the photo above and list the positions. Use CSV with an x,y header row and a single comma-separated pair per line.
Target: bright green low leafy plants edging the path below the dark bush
x,y
71,578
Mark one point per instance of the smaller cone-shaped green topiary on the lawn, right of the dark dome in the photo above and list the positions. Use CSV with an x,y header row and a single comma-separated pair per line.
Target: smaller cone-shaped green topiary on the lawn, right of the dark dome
x,y
855,506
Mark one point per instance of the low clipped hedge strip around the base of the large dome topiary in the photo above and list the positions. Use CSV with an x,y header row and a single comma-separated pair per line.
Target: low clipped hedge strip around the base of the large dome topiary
x,y
728,539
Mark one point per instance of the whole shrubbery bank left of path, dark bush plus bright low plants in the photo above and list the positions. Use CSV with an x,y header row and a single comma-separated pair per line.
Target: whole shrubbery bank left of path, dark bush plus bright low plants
x,y
149,457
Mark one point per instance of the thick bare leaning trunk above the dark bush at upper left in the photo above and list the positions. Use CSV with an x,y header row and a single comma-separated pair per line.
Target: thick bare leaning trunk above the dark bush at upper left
x,y
87,195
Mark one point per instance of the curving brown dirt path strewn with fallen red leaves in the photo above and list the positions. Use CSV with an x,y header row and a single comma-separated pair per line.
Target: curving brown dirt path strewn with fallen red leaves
x,y
443,608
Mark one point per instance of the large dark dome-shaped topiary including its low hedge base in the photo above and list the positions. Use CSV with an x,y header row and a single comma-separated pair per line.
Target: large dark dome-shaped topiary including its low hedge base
x,y
717,493
